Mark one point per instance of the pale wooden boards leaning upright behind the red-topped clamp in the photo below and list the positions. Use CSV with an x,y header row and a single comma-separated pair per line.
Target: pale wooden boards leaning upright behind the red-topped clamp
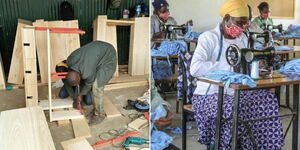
x,y
62,45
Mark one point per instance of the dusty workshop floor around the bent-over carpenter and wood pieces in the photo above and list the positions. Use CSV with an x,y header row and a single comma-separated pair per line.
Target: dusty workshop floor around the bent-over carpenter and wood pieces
x,y
16,99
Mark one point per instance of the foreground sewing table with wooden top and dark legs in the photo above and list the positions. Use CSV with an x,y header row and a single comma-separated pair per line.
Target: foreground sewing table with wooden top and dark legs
x,y
263,83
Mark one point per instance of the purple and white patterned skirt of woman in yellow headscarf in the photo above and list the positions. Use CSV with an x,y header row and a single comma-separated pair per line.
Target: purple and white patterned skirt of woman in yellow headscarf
x,y
254,104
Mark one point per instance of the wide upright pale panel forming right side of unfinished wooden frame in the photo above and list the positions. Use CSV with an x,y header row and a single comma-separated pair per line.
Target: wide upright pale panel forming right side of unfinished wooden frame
x,y
139,47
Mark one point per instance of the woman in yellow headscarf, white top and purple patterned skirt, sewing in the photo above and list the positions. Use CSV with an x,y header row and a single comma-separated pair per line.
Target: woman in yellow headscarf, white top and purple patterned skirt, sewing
x,y
209,56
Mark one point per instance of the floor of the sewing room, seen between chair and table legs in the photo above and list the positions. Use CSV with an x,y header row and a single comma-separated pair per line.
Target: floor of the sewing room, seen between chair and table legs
x,y
192,143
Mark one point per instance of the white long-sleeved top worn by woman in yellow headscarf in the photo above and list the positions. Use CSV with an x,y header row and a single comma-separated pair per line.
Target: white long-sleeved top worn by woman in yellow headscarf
x,y
205,56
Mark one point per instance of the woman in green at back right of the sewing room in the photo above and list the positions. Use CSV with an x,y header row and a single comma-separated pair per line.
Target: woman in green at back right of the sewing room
x,y
264,18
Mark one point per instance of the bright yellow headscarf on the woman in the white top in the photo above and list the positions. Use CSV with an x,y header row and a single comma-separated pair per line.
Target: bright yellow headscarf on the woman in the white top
x,y
235,8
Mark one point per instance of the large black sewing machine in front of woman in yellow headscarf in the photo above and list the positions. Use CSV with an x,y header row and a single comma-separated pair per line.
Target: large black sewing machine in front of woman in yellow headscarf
x,y
241,59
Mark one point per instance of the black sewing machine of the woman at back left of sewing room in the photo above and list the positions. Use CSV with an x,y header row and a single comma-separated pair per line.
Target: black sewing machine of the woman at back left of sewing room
x,y
170,30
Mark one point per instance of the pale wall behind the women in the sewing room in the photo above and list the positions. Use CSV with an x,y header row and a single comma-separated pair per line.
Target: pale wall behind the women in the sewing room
x,y
205,13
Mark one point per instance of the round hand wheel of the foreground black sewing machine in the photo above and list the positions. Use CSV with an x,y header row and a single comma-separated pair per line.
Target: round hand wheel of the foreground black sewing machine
x,y
233,55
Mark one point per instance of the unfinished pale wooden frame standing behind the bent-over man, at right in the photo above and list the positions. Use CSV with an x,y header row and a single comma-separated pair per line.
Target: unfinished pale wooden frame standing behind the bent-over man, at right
x,y
105,30
